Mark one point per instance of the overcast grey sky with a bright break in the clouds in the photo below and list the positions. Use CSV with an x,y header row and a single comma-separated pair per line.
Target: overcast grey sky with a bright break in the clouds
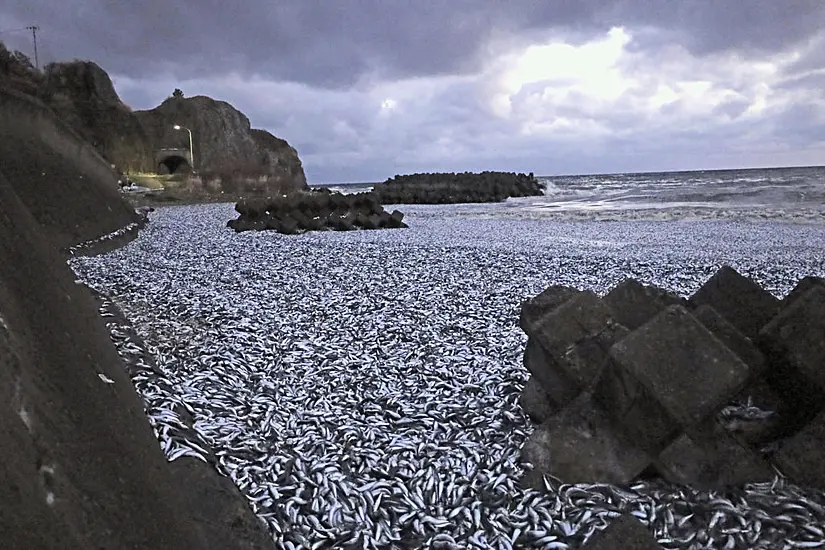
x,y
365,89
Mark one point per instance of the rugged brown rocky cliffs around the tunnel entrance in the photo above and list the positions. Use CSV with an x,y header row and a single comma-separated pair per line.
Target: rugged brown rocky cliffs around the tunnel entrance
x,y
229,155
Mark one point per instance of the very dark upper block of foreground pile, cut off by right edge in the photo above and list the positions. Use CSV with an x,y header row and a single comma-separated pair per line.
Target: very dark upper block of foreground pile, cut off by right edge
x,y
794,344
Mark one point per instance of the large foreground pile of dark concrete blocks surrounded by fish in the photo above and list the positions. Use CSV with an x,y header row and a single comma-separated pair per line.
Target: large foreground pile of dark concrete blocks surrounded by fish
x,y
715,391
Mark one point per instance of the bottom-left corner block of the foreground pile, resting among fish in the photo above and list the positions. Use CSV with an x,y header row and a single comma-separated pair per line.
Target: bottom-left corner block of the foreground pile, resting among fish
x,y
579,444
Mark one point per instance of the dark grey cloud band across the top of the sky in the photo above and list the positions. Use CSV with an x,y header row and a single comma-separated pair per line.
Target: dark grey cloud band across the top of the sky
x,y
334,44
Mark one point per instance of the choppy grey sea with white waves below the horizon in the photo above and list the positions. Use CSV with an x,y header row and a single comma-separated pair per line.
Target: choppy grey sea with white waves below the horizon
x,y
789,194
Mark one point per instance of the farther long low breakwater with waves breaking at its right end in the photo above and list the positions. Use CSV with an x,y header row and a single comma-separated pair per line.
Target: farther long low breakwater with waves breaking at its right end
x,y
448,188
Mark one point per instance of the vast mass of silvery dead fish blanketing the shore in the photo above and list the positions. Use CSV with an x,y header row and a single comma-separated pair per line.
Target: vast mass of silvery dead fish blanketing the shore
x,y
361,388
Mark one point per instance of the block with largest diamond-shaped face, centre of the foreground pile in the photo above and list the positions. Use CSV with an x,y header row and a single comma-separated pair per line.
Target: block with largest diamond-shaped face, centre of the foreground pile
x,y
669,374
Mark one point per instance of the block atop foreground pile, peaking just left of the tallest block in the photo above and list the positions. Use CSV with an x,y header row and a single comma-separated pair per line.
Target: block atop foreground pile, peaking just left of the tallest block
x,y
634,304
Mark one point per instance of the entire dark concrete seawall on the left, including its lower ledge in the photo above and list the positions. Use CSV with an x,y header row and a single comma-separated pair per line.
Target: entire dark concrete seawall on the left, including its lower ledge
x,y
81,466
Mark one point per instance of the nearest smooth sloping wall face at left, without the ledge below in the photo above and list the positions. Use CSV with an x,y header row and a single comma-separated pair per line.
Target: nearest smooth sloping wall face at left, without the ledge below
x,y
81,467
